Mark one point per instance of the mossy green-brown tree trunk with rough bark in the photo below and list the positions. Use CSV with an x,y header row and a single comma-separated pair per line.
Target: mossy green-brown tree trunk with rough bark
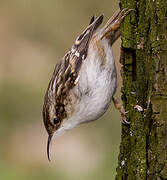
x,y
143,149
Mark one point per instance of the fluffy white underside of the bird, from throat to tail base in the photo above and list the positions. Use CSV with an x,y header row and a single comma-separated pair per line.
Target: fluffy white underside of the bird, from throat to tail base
x,y
96,86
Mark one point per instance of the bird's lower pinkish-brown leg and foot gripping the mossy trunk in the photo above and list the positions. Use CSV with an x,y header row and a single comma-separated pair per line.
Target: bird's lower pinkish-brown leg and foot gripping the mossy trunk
x,y
121,109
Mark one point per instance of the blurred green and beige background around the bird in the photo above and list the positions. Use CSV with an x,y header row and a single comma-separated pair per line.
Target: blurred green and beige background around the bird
x,y
34,35
